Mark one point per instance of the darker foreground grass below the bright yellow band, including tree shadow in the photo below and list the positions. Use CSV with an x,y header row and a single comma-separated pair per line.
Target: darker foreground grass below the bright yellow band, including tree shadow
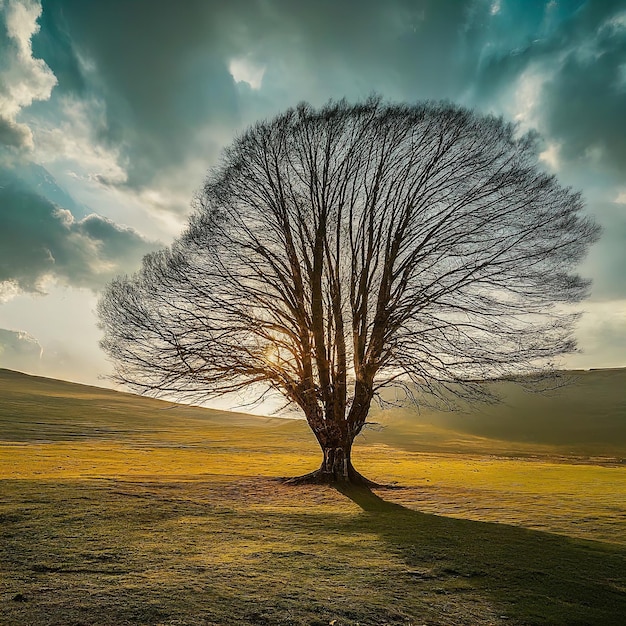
x,y
250,552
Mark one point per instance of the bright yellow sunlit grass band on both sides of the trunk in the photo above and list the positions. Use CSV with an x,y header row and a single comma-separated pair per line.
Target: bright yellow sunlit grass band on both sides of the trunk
x,y
580,500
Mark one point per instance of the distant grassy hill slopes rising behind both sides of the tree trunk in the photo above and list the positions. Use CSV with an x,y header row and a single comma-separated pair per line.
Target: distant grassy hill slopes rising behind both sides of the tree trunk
x,y
586,418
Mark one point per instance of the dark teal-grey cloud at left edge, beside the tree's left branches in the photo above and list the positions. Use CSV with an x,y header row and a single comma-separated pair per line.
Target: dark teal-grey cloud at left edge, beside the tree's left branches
x,y
39,239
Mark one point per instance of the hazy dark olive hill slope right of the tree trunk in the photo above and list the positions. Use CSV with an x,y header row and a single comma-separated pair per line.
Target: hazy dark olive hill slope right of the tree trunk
x,y
586,416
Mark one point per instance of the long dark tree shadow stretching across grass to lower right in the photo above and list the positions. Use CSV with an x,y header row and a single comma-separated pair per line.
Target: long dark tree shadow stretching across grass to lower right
x,y
529,576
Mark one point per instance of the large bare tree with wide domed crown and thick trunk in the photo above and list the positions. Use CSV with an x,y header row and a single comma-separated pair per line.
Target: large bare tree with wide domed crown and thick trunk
x,y
338,251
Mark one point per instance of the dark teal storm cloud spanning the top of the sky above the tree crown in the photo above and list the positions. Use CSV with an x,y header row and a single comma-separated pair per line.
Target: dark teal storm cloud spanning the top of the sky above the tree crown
x,y
162,68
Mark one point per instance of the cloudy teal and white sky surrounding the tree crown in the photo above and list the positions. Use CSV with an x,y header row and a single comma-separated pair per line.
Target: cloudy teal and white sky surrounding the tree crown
x,y
111,112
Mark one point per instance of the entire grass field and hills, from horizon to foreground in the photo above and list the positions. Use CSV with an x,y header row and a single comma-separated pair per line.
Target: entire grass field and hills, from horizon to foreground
x,y
116,509
